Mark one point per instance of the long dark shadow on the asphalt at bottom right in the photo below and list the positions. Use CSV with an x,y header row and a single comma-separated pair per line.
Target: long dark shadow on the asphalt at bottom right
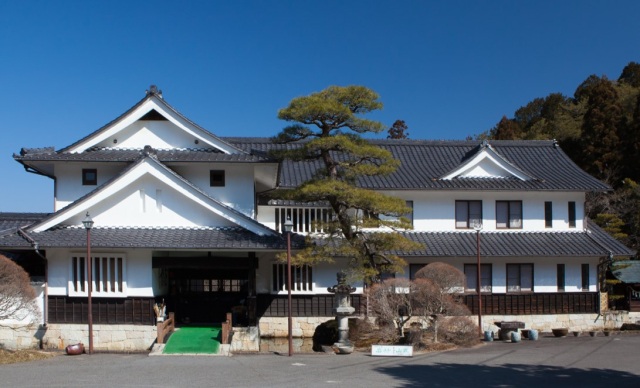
x,y
508,375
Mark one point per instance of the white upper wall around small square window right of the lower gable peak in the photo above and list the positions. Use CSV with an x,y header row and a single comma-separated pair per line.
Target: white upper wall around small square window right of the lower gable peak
x,y
238,191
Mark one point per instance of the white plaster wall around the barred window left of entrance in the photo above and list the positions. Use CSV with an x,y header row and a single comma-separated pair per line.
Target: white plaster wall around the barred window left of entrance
x,y
138,275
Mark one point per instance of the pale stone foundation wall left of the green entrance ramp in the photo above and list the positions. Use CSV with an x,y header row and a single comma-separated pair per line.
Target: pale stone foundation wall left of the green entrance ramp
x,y
114,338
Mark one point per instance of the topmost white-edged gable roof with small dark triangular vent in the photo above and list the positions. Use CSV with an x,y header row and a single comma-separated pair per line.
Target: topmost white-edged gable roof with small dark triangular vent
x,y
153,104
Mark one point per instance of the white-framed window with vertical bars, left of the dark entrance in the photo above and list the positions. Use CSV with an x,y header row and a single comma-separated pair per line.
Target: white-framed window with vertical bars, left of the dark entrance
x,y
108,274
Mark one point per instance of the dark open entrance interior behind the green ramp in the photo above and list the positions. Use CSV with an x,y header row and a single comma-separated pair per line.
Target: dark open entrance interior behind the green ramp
x,y
204,290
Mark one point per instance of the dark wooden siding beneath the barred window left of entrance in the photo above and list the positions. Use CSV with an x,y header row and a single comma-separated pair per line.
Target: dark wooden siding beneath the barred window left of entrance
x,y
64,309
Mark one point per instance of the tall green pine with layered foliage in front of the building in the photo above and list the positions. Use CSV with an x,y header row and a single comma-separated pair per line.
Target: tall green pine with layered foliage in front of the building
x,y
326,130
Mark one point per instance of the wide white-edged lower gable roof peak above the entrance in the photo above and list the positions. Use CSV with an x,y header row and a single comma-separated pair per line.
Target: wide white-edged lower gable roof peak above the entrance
x,y
147,164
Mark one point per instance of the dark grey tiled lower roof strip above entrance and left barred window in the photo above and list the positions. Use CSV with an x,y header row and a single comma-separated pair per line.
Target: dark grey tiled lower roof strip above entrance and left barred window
x,y
150,238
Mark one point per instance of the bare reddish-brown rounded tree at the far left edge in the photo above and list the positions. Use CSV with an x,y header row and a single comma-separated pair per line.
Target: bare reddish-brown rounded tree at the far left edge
x,y
17,297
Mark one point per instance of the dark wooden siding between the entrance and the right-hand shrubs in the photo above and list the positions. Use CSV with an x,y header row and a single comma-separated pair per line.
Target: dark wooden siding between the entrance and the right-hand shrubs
x,y
301,305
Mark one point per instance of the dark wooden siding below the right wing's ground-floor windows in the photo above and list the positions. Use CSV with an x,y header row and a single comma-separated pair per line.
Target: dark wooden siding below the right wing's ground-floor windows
x,y
535,303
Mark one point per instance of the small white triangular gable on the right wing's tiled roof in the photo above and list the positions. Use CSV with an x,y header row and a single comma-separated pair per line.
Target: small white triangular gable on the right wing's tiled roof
x,y
487,164
